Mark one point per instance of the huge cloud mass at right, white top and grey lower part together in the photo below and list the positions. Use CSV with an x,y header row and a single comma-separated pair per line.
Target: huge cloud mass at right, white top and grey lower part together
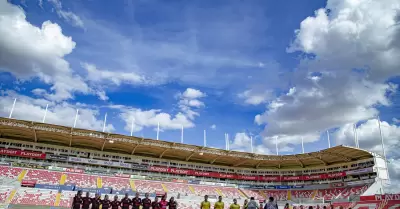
x,y
350,51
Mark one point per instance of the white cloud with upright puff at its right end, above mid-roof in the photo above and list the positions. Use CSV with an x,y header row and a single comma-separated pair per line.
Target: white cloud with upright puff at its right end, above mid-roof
x,y
189,105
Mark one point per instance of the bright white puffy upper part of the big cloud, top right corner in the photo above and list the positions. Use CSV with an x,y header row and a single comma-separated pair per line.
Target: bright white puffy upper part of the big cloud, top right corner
x,y
353,34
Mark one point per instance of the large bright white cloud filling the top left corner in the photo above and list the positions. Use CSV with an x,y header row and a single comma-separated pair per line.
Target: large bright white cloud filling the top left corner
x,y
30,52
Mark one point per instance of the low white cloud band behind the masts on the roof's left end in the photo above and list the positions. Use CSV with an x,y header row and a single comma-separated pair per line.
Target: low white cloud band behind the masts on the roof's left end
x,y
27,108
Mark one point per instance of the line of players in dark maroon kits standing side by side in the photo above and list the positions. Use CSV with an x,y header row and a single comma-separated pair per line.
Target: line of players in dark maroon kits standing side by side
x,y
86,202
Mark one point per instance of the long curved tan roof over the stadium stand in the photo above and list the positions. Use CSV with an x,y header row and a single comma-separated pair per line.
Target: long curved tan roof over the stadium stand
x,y
94,140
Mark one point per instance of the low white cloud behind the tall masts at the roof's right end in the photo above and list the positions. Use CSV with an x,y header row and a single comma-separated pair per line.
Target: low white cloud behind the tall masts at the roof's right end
x,y
369,139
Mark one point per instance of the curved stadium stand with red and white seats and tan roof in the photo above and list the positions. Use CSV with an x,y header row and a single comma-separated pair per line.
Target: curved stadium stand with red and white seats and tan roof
x,y
43,165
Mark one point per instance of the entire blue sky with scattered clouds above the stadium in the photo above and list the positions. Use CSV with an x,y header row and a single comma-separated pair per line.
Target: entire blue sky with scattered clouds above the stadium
x,y
260,71
